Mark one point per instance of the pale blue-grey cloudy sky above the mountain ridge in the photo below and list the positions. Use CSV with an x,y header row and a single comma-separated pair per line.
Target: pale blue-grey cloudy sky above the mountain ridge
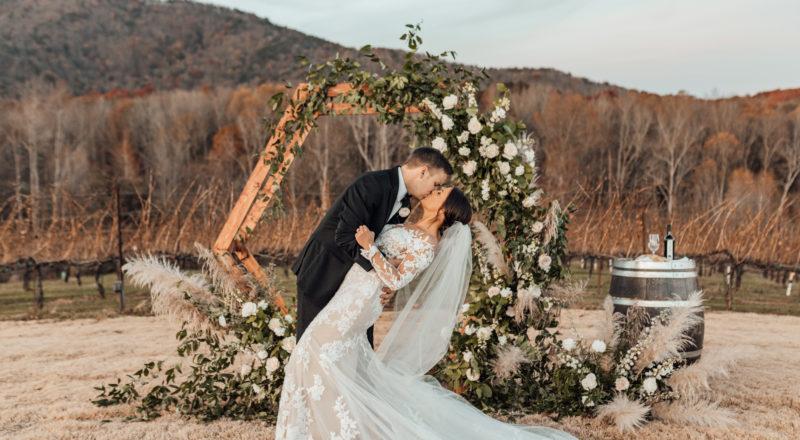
x,y
708,48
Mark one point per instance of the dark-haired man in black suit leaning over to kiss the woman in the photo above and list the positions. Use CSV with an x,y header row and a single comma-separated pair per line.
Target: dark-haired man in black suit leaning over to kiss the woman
x,y
375,199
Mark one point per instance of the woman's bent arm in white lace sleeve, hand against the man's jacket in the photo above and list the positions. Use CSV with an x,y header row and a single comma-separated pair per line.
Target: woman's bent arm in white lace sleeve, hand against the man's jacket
x,y
393,276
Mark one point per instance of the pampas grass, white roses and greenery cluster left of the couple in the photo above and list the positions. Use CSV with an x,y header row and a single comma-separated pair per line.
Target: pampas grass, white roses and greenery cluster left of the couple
x,y
235,339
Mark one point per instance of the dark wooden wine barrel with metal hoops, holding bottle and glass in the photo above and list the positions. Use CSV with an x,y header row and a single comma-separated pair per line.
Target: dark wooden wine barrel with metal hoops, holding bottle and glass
x,y
654,286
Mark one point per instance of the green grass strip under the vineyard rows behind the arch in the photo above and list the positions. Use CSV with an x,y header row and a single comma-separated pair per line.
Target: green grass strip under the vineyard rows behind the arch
x,y
71,301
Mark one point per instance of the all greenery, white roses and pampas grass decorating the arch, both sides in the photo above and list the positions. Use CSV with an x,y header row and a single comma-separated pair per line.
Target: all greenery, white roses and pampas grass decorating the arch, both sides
x,y
507,356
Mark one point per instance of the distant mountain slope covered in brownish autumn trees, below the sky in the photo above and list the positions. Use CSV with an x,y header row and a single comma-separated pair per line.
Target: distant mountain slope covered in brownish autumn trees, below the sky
x,y
102,45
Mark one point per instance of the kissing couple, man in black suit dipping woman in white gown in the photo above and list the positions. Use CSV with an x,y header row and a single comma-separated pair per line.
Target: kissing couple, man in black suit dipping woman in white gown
x,y
367,249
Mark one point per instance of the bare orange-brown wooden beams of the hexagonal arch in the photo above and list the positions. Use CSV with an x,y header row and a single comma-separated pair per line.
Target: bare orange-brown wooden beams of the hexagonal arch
x,y
229,247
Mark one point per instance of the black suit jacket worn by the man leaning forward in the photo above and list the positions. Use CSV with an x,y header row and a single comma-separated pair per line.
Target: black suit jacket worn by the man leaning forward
x,y
332,250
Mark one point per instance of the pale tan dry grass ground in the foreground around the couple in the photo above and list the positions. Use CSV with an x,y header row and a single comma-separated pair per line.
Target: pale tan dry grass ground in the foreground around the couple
x,y
48,369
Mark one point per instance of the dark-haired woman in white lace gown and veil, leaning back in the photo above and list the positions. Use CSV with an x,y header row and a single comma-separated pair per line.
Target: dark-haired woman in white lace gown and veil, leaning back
x,y
336,387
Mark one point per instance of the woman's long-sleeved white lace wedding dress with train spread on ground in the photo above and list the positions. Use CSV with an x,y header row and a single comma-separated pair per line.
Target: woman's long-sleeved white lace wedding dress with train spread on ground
x,y
336,387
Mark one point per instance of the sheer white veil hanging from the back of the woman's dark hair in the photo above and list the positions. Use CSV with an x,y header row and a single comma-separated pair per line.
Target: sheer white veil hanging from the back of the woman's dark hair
x,y
427,309
